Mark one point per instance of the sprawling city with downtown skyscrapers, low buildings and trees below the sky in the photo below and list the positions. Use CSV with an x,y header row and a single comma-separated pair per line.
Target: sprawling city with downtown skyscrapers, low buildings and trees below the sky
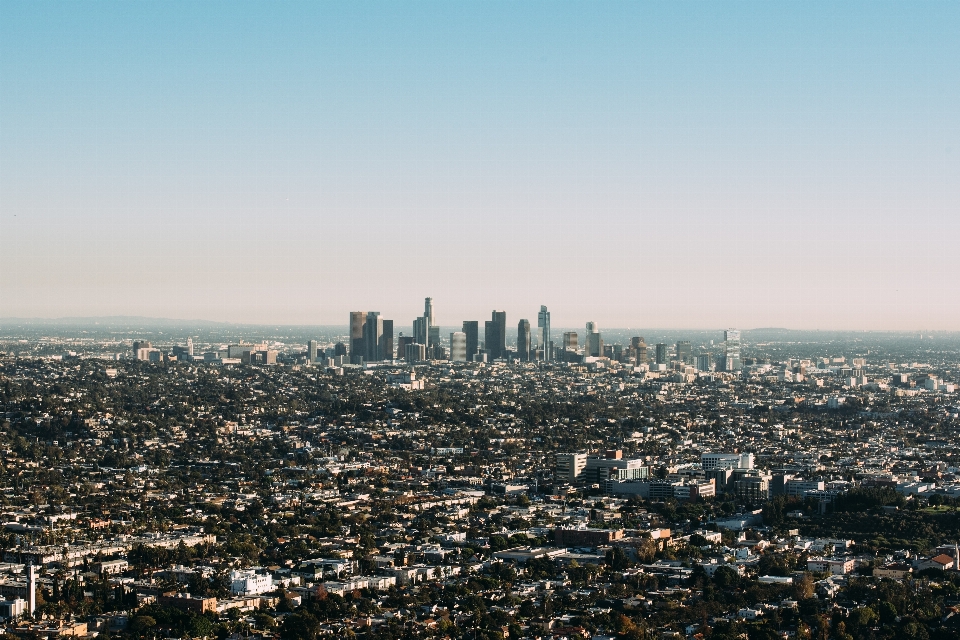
x,y
477,482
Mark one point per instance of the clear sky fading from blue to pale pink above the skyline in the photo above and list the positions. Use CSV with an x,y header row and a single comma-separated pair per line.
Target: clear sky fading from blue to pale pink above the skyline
x,y
638,164
